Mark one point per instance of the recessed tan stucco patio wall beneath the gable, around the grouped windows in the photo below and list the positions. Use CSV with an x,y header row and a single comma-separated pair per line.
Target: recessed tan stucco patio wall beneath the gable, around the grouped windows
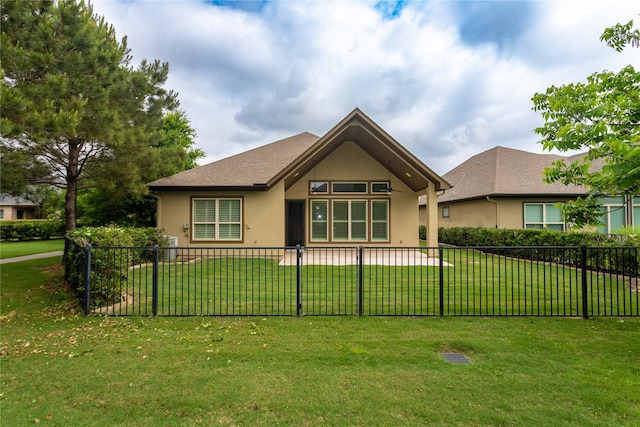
x,y
350,163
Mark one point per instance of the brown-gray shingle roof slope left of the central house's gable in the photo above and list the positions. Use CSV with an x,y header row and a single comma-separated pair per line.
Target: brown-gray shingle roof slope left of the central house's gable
x,y
248,169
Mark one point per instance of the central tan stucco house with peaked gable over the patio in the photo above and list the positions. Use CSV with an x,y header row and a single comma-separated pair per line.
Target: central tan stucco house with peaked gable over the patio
x,y
354,185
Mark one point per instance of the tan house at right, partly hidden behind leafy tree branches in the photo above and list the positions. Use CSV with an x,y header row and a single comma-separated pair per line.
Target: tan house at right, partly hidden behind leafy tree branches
x,y
504,188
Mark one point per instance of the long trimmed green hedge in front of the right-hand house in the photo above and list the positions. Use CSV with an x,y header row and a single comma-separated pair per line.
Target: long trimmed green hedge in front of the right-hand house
x,y
493,240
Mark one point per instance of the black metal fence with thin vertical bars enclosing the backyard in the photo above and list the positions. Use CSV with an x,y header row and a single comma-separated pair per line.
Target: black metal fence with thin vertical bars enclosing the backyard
x,y
365,281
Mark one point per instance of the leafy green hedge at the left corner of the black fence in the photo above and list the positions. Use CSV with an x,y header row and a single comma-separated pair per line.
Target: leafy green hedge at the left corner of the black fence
x,y
107,267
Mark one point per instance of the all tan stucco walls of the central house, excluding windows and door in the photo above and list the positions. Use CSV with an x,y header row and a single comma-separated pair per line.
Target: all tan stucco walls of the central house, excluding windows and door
x,y
264,211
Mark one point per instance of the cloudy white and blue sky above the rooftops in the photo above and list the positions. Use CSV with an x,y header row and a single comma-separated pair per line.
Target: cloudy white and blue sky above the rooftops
x,y
446,79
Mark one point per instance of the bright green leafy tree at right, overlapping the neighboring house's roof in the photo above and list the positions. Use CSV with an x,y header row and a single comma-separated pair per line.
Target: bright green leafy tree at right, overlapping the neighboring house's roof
x,y
601,116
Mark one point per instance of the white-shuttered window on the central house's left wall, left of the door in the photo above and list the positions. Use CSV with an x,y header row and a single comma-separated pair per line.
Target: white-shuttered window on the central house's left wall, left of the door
x,y
217,219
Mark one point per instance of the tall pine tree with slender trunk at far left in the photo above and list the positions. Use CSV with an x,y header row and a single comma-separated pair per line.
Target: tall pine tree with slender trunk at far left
x,y
73,109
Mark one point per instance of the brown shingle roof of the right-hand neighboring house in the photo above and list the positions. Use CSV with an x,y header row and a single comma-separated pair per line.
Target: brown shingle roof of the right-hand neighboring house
x,y
503,171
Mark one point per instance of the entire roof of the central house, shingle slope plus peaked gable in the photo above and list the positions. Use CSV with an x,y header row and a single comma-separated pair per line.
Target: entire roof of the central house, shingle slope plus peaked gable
x,y
293,157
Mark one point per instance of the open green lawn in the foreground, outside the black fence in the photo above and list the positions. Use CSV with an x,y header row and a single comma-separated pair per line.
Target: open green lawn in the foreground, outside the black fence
x,y
60,368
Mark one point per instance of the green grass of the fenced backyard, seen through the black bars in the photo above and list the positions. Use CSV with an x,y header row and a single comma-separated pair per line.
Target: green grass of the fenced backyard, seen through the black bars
x,y
474,284
